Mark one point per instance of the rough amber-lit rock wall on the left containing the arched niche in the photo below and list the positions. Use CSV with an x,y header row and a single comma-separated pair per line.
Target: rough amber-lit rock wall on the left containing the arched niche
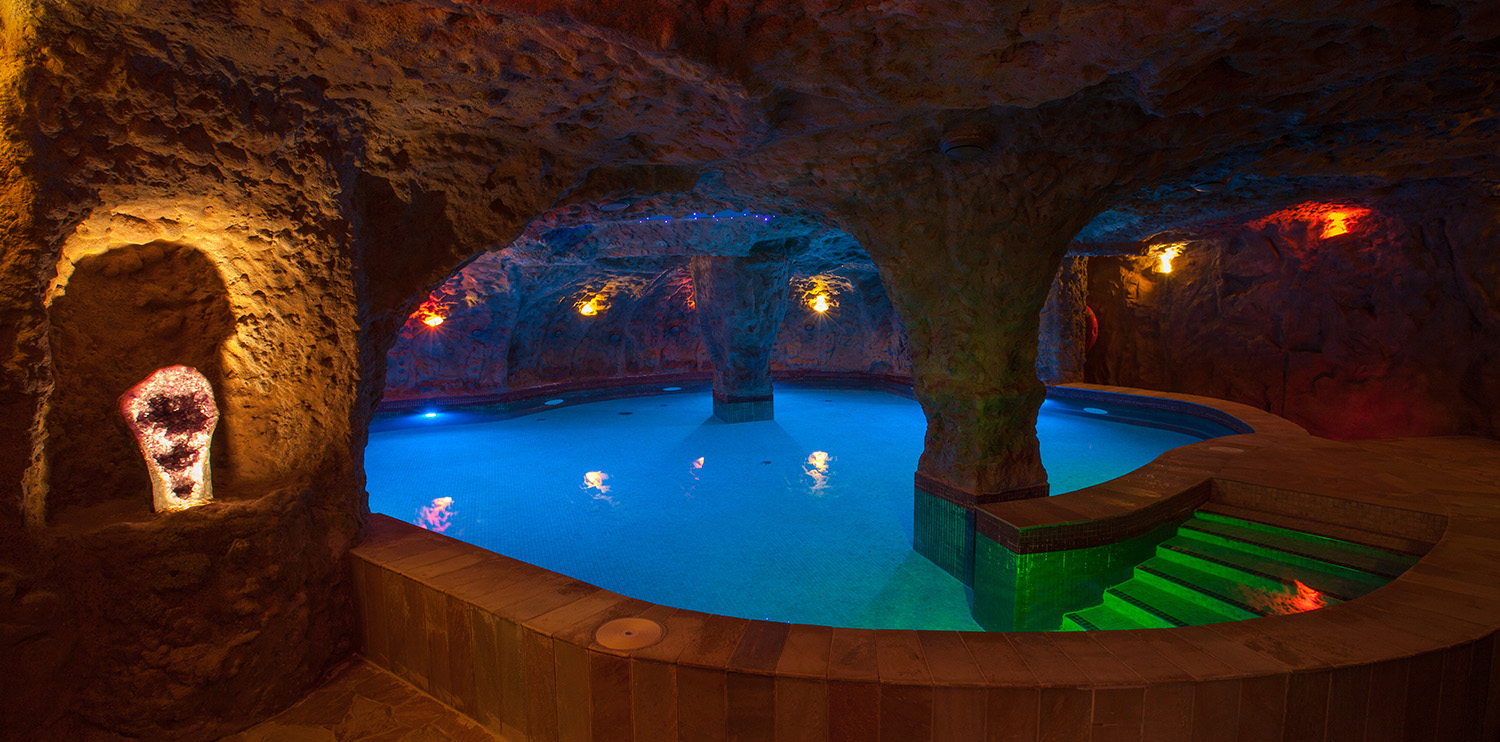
x,y
134,250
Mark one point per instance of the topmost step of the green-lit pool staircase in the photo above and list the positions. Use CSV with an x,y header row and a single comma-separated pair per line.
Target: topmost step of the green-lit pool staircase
x,y
1294,548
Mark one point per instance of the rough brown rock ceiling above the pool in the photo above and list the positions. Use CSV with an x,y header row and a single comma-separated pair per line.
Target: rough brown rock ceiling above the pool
x,y
512,110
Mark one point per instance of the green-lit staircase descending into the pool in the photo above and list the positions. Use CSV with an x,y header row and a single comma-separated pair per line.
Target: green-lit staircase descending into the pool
x,y
1220,567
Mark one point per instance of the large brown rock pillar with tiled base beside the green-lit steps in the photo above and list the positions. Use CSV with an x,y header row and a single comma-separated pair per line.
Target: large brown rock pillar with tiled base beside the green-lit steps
x,y
968,253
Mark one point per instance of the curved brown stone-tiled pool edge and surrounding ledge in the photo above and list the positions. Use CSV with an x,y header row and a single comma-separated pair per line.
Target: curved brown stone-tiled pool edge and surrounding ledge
x,y
512,645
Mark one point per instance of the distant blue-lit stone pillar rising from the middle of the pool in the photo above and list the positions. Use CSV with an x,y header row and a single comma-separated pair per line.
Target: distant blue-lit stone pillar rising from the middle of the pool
x,y
740,308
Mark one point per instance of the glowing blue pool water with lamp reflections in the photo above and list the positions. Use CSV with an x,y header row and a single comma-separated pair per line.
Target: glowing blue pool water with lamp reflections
x,y
803,519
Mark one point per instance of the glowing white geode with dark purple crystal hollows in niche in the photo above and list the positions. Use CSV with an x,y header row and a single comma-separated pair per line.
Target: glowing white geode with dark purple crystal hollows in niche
x,y
172,414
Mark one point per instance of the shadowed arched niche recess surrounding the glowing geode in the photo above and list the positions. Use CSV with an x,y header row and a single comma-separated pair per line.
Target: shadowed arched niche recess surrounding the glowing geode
x,y
122,316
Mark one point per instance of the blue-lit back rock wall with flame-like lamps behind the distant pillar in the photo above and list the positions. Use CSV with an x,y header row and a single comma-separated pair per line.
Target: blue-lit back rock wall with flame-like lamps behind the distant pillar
x,y
511,328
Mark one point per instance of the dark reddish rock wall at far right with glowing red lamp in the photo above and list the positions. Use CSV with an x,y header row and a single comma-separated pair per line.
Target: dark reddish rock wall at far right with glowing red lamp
x,y
1388,331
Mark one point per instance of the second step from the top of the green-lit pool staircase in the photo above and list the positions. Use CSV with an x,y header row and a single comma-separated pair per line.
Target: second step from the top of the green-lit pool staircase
x,y
1267,573
